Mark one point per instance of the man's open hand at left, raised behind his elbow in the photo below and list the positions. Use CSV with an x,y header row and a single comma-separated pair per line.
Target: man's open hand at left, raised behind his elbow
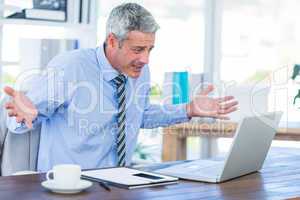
x,y
20,107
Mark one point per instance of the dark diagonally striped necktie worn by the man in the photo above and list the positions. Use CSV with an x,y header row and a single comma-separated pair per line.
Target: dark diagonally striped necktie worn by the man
x,y
121,138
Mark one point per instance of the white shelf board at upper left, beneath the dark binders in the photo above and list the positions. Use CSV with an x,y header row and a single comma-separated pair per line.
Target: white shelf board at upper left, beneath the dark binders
x,y
26,22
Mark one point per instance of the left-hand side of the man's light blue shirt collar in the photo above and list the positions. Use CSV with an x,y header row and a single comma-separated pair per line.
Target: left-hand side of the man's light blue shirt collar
x,y
109,73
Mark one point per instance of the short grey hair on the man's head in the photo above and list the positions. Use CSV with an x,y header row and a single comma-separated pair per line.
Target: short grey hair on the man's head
x,y
130,17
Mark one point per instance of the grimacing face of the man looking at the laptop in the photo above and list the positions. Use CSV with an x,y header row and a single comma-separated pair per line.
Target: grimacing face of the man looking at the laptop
x,y
134,53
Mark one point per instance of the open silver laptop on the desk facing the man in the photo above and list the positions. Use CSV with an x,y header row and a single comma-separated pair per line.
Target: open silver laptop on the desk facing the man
x,y
248,151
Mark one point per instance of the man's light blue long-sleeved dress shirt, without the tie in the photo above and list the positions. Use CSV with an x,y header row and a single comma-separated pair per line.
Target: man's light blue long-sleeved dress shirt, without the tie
x,y
77,105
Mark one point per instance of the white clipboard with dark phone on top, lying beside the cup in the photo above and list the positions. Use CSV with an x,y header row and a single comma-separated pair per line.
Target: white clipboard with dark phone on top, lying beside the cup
x,y
128,178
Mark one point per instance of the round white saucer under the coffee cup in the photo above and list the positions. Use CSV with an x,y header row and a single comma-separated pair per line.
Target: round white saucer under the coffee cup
x,y
82,185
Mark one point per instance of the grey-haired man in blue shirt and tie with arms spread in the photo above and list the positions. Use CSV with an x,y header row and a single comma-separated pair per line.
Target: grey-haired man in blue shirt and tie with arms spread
x,y
92,102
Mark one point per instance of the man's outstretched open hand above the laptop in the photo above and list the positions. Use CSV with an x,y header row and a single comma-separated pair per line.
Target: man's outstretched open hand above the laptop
x,y
204,106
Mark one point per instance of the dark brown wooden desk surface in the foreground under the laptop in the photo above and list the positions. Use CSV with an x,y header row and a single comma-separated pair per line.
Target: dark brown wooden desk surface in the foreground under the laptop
x,y
279,179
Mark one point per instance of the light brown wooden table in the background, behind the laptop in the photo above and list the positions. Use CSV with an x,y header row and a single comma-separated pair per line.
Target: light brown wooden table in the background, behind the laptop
x,y
174,137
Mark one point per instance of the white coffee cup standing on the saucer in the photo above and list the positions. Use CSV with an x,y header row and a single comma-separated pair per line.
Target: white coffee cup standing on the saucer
x,y
65,176
